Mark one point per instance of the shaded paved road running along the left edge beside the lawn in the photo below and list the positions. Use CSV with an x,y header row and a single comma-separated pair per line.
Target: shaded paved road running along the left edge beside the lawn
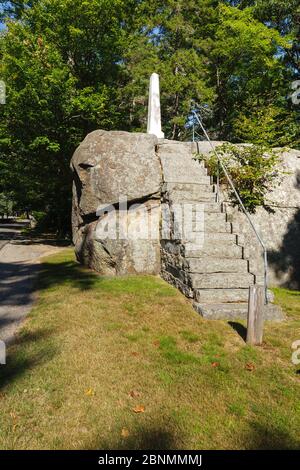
x,y
19,267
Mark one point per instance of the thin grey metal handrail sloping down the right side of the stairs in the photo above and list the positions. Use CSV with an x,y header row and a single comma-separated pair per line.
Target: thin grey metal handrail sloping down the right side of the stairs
x,y
225,171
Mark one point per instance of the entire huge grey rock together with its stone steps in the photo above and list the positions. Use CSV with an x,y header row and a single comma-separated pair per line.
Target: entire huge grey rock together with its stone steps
x,y
143,206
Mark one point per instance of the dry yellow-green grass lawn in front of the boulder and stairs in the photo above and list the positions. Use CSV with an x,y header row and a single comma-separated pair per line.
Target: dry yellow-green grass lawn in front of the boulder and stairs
x,y
126,363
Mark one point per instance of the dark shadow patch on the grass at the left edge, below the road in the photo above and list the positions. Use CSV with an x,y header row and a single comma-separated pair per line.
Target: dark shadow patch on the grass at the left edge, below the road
x,y
32,354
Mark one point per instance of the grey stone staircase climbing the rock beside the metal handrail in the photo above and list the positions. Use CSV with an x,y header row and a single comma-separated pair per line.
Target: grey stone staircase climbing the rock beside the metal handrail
x,y
201,254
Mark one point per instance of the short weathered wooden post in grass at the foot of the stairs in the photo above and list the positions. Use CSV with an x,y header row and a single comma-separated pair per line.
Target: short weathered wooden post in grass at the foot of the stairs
x,y
255,315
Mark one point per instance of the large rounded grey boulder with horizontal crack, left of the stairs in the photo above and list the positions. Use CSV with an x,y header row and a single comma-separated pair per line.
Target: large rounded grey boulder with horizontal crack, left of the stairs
x,y
112,172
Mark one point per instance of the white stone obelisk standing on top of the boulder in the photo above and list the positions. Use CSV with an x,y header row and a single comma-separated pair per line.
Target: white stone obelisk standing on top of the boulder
x,y
154,114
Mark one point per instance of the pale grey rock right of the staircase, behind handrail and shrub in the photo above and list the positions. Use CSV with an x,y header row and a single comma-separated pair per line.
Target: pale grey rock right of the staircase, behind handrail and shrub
x,y
280,229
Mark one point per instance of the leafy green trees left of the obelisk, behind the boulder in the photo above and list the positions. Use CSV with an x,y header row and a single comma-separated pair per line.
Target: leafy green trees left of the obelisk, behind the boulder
x,y
59,64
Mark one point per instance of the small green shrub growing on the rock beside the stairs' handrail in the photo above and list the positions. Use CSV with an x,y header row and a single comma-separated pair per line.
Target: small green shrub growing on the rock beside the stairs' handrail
x,y
253,169
